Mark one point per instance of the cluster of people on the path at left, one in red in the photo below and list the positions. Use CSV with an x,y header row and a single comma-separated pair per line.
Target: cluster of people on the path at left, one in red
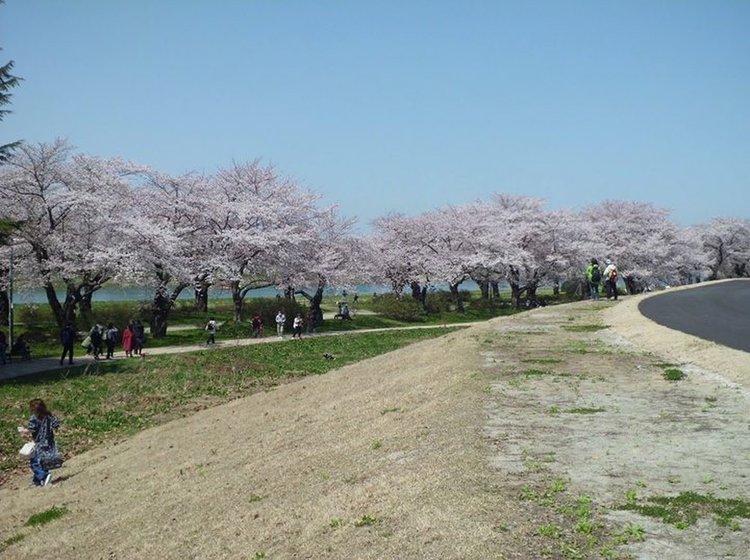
x,y
101,338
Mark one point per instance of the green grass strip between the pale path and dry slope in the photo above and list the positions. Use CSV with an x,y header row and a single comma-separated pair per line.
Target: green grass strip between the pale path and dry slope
x,y
108,400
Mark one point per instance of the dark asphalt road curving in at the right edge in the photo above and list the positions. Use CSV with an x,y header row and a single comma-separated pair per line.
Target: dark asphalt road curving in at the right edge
x,y
716,312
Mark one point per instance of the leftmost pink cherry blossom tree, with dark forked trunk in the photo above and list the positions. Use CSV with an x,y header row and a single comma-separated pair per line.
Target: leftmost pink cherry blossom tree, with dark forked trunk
x,y
69,208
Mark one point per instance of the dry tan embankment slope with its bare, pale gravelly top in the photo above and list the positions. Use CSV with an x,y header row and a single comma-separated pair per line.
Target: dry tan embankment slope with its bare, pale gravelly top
x,y
515,439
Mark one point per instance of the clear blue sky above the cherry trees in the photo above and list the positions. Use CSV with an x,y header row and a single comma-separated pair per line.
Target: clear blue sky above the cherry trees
x,y
403,105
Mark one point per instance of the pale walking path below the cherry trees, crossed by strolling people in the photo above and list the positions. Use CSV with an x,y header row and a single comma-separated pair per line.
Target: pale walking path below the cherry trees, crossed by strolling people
x,y
21,368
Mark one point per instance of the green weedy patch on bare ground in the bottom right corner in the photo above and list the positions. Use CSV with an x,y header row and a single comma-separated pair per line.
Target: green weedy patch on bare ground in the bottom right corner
x,y
686,508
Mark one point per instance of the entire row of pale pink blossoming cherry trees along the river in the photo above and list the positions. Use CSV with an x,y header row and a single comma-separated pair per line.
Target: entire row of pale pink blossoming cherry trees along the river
x,y
86,221
